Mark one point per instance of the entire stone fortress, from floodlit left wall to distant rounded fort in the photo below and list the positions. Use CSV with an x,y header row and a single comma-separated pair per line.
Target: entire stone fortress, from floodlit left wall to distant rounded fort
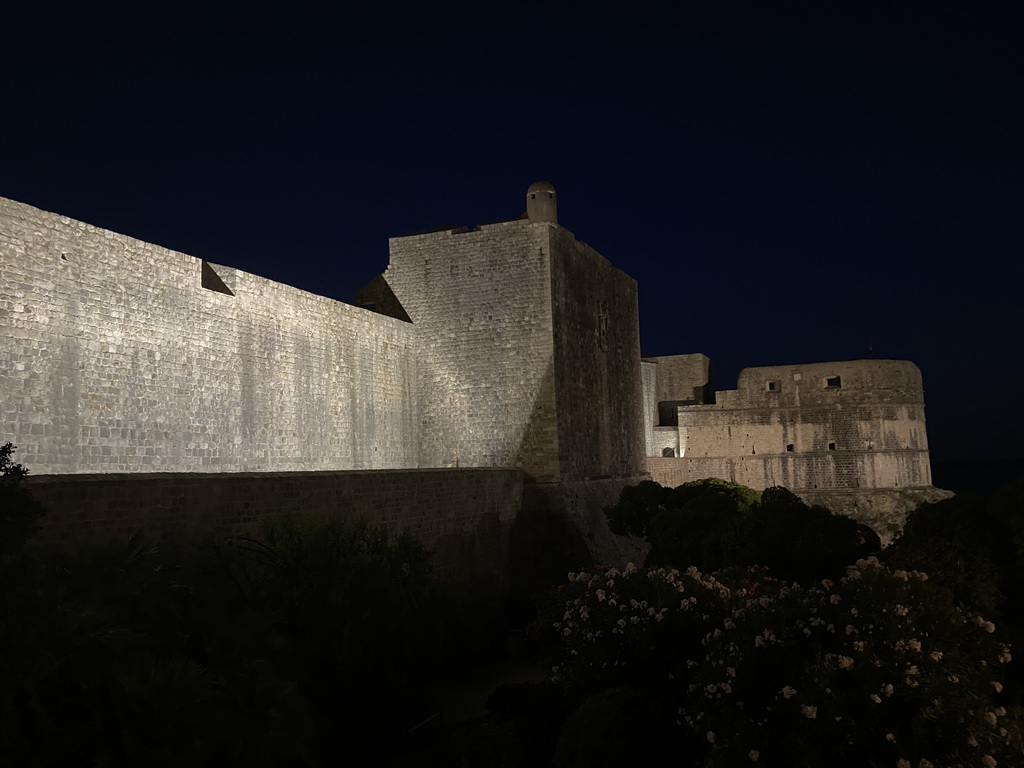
x,y
510,347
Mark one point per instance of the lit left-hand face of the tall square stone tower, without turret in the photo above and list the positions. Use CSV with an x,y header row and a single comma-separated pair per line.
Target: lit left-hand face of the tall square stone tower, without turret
x,y
481,304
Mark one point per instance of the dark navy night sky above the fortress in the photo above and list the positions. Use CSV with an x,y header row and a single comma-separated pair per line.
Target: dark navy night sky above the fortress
x,y
787,183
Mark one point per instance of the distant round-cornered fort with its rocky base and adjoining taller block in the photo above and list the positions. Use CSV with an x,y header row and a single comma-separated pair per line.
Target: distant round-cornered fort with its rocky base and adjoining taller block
x,y
848,435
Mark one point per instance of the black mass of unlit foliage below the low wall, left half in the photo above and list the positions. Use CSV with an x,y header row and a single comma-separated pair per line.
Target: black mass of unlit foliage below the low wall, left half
x,y
310,644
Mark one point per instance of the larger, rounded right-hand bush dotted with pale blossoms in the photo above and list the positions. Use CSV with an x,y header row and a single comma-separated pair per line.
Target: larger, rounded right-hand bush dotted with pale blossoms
x,y
878,669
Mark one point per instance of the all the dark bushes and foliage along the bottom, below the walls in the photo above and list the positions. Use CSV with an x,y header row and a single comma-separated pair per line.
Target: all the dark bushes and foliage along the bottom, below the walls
x,y
319,644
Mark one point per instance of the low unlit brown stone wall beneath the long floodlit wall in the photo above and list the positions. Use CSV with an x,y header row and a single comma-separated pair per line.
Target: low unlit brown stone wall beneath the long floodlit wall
x,y
463,517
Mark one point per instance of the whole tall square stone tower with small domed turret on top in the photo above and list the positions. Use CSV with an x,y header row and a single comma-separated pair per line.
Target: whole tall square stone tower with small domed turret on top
x,y
529,345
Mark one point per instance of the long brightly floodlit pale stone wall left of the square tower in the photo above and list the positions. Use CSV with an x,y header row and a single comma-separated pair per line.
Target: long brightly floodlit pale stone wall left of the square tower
x,y
118,356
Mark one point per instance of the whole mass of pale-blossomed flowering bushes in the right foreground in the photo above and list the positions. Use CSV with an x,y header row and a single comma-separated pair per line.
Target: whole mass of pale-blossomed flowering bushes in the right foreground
x,y
877,669
